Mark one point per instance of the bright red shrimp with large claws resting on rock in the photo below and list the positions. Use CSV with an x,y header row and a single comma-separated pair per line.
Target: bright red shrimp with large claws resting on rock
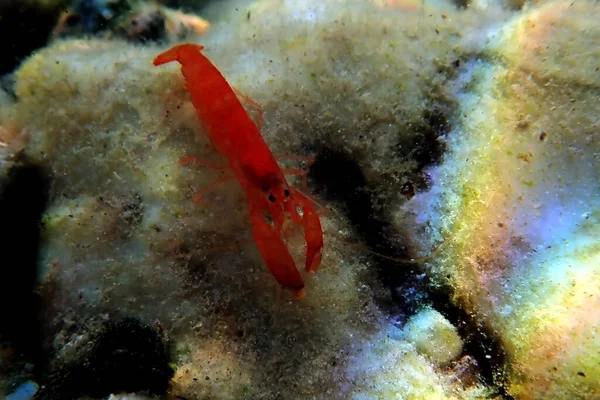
x,y
235,135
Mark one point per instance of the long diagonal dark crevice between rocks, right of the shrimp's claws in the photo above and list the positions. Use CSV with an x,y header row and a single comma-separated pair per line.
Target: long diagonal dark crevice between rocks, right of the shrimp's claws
x,y
338,178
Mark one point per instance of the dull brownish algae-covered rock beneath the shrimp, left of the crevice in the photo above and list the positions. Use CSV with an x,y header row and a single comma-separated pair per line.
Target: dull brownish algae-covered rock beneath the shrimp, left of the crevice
x,y
123,237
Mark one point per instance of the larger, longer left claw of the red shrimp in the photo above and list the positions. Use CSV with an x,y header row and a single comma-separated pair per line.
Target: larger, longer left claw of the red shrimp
x,y
276,255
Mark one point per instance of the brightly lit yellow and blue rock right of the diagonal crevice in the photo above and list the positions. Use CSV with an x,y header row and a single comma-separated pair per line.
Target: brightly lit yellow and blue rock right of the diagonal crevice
x,y
515,235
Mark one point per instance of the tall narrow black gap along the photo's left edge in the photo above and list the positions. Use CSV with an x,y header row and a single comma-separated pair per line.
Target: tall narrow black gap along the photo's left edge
x,y
23,198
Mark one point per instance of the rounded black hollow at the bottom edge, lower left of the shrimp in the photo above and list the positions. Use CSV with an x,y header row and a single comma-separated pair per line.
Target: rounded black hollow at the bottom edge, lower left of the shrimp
x,y
126,356
